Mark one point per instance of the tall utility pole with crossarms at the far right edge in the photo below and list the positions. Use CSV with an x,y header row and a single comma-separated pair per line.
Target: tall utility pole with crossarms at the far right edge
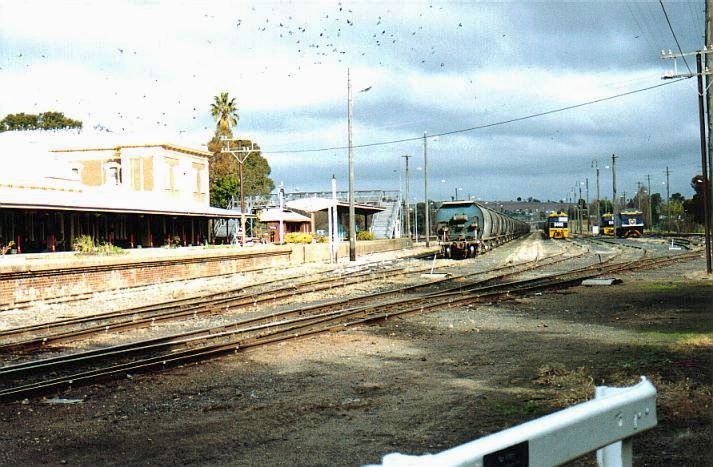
x,y
707,50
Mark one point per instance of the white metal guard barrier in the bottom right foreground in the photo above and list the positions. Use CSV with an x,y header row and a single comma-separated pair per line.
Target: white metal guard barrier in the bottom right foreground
x,y
609,422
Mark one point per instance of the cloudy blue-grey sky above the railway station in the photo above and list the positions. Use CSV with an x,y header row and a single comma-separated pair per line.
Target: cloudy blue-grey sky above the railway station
x,y
442,67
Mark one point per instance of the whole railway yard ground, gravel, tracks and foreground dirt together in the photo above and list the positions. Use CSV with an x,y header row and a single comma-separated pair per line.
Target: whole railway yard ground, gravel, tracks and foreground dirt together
x,y
338,365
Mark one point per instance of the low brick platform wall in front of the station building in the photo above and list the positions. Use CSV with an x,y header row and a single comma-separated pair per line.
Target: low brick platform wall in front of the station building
x,y
26,278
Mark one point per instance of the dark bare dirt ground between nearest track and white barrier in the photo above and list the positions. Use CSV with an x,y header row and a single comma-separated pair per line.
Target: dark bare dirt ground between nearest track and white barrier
x,y
416,384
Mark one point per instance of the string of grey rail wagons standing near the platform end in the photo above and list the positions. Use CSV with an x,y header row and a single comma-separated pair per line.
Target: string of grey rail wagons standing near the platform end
x,y
466,228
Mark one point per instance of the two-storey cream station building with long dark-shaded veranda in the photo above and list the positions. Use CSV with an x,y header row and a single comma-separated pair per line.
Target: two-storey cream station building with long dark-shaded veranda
x,y
58,185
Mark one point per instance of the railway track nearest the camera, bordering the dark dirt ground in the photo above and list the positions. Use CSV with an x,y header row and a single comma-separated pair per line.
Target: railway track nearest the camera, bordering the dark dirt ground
x,y
48,375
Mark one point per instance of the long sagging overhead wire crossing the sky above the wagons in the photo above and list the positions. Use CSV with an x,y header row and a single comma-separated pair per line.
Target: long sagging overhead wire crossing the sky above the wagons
x,y
479,127
